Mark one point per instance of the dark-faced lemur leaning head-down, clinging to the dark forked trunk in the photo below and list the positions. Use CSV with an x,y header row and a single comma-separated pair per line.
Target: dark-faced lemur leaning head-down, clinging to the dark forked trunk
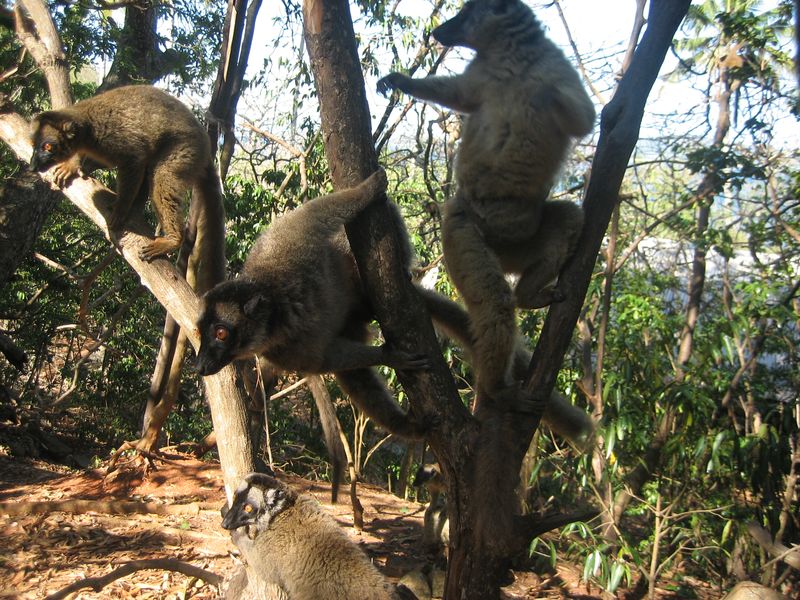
x,y
299,303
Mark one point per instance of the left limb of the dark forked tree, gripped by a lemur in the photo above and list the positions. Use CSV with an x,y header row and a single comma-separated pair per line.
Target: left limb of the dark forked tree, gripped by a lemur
x,y
374,240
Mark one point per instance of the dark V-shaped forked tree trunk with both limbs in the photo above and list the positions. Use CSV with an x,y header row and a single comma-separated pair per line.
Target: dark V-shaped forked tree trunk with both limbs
x,y
463,447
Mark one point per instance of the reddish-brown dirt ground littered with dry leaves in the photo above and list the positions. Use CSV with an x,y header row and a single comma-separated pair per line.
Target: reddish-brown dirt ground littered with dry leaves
x,y
44,552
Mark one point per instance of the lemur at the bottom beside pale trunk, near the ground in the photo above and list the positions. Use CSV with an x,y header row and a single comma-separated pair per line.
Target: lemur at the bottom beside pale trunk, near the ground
x,y
290,543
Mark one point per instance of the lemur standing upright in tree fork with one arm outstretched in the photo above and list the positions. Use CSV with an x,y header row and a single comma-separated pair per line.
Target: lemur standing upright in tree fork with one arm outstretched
x,y
524,103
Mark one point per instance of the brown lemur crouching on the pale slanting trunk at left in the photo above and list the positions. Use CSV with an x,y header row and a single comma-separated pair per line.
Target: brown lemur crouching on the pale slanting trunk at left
x,y
152,139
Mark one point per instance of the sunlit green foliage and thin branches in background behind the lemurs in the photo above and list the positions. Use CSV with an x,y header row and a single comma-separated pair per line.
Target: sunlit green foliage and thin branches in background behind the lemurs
x,y
731,446
